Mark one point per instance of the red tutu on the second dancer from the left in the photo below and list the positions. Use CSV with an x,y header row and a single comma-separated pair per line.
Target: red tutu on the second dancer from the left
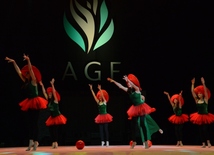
x,y
58,120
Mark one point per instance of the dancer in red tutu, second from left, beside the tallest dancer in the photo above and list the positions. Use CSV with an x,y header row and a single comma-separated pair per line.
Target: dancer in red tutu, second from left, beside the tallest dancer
x,y
56,119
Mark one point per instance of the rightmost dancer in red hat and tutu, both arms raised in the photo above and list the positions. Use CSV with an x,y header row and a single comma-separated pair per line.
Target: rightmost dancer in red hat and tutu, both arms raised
x,y
202,118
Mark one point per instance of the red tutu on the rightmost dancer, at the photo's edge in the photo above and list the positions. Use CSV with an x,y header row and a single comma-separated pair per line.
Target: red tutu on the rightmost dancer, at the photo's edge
x,y
199,119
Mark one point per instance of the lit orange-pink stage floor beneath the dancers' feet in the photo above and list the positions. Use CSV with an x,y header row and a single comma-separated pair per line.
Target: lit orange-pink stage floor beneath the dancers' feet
x,y
111,150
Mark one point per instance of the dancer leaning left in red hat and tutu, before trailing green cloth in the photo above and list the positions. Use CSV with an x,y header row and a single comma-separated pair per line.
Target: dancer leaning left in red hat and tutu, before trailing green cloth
x,y
138,111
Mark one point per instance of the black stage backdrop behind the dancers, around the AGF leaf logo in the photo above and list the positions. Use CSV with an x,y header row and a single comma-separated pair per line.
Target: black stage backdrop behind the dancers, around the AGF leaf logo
x,y
164,43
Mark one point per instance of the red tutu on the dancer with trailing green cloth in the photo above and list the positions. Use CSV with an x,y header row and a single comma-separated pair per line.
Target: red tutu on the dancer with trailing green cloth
x,y
140,110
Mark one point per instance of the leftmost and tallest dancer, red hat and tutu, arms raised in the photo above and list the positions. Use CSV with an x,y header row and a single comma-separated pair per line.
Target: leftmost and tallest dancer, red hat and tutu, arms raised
x,y
30,75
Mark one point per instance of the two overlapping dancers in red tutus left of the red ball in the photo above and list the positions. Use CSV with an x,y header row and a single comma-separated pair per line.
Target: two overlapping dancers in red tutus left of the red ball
x,y
31,77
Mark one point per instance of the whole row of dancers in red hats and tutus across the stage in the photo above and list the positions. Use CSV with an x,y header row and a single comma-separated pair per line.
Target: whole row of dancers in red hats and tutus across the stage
x,y
138,113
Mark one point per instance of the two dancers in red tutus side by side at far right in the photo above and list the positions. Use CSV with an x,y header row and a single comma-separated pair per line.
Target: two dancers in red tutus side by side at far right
x,y
202,117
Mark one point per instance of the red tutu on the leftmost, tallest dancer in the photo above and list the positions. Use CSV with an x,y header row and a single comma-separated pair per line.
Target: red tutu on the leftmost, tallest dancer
x,y
35,103
